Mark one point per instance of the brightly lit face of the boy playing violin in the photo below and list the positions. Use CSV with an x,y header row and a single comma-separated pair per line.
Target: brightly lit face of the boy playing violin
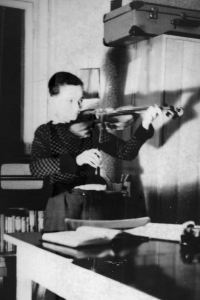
x,y
68,102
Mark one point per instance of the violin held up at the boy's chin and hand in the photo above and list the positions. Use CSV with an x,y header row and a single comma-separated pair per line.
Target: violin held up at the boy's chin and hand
x,y
124,117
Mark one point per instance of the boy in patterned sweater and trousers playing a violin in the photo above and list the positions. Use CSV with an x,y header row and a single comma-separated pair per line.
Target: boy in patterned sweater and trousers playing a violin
x,y
69,155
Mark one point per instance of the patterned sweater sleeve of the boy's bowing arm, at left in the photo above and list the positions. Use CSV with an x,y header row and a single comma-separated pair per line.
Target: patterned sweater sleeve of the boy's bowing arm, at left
x,y
42,163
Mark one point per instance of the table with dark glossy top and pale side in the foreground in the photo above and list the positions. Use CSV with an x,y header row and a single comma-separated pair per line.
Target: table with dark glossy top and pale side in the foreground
x,y
148,270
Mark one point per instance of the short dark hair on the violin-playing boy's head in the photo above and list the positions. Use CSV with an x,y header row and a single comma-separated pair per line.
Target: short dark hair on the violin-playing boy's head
x,y
62,78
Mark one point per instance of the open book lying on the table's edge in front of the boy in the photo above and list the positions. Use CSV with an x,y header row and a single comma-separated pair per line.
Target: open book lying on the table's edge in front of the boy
x,y
92,242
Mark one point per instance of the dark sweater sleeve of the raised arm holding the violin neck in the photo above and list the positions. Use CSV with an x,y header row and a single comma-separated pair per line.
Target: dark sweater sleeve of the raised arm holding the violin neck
x,y
126,150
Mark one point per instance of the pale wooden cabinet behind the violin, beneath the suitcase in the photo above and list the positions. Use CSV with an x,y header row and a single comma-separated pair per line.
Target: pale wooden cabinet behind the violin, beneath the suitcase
x,y
165,70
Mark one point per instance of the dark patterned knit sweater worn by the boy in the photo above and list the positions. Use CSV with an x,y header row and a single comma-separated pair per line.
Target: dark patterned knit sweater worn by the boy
x,y
55,148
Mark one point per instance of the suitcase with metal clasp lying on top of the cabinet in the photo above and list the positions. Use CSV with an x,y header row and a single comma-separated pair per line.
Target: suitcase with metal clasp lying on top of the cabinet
x,y
138,21
